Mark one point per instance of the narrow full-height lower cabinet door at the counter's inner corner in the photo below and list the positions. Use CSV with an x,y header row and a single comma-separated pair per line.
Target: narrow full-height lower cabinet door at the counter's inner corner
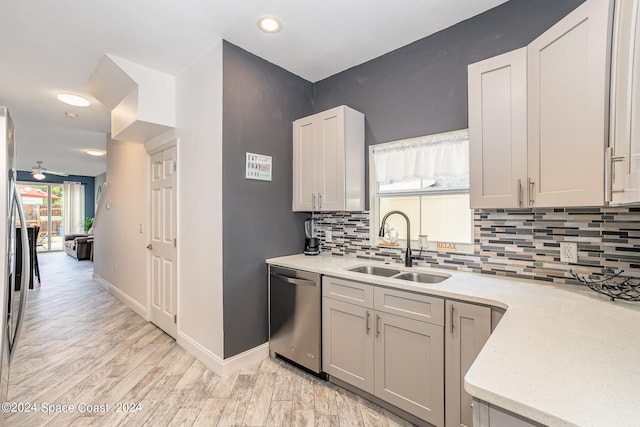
x,y
468,328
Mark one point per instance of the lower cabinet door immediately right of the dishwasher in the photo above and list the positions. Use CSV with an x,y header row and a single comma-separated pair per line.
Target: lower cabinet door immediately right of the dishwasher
x,y
347,343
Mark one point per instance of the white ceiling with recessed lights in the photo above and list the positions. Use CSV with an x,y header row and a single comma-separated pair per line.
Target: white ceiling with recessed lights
x,y
51,46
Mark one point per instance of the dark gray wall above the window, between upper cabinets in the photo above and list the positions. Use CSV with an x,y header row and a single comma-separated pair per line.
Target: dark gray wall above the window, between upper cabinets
x,y
421,88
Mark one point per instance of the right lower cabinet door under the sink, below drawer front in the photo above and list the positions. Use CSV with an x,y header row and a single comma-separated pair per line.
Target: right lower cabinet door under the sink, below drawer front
x,y
410,366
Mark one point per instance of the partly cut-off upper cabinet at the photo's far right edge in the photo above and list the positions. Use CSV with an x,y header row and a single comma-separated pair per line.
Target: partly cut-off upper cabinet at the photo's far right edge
x,y
623,160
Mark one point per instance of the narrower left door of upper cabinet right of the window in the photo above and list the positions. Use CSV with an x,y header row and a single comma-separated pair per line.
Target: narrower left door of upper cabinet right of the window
x,y
498,130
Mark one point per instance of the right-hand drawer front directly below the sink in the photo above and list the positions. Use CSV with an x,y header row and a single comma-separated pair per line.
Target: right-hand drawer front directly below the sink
x,y
407,304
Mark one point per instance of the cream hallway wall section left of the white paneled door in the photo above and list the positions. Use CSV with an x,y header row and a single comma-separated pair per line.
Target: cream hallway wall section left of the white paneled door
x,y
119,247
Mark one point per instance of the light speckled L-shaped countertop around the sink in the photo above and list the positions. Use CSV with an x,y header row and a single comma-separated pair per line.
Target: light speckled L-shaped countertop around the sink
x,y
562,354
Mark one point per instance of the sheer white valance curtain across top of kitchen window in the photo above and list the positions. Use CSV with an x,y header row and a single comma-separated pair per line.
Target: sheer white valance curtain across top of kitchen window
x,y
437,157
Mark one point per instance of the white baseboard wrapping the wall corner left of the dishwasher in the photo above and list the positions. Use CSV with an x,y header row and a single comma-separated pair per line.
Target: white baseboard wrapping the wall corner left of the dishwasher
x,y
223,367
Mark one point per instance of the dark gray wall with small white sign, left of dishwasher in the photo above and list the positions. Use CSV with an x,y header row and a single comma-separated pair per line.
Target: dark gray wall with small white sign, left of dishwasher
x,y
260,102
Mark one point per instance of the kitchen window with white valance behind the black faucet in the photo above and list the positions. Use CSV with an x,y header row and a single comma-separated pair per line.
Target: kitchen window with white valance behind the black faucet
x,y
427,178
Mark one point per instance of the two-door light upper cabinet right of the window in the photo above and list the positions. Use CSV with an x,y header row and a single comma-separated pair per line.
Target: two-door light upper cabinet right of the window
x,y
545,147
